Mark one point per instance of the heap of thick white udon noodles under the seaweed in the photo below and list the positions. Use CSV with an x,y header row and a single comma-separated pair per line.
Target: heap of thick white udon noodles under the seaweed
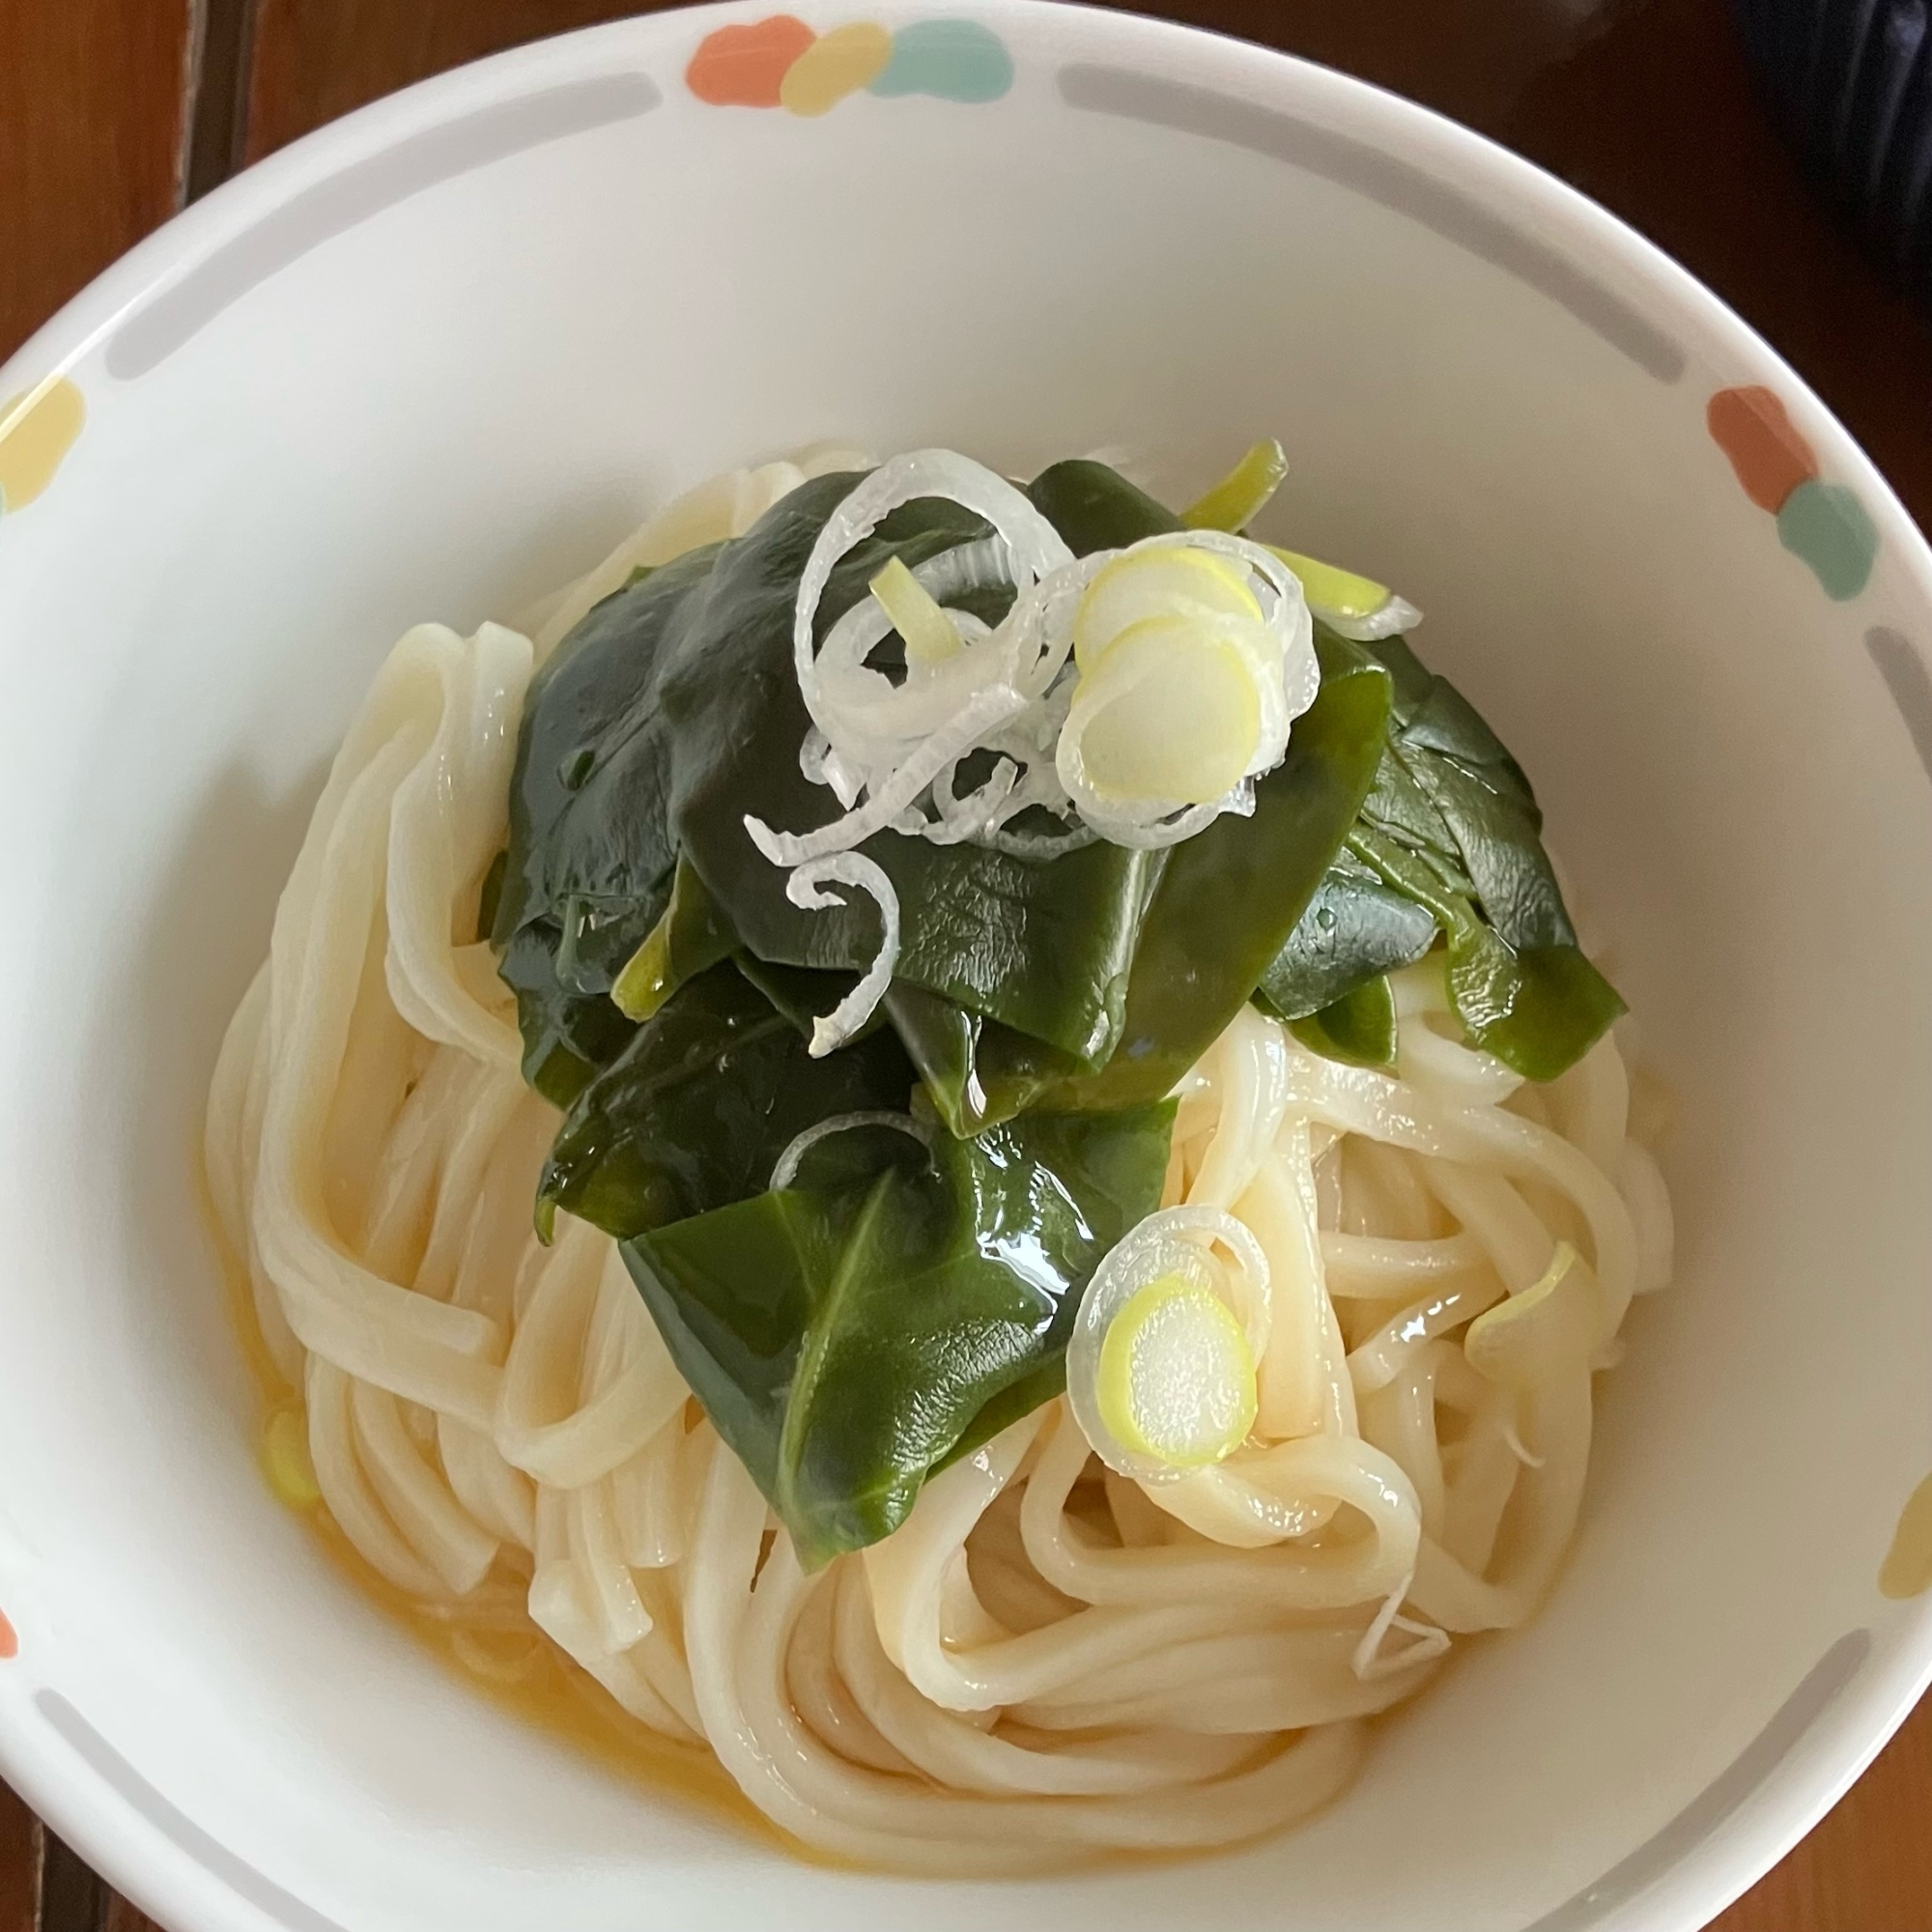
x,y
1048,1661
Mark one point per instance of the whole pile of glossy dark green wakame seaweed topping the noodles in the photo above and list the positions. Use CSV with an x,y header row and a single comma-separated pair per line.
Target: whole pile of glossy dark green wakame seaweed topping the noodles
x,y
911,1290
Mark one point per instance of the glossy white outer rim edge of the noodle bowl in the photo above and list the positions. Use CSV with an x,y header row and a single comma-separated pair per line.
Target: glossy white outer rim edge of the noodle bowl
x,y
1769,1821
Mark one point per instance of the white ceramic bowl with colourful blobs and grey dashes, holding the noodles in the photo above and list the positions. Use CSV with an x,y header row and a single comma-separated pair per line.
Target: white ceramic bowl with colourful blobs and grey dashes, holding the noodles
x,y
438,358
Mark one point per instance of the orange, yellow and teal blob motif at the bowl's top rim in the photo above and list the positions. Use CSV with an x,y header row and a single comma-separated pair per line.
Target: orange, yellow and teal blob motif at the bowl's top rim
x,y
781,63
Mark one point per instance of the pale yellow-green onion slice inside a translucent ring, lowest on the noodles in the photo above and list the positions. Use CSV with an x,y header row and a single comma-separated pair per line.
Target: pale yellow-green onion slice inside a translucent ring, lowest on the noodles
x,y
1176,1377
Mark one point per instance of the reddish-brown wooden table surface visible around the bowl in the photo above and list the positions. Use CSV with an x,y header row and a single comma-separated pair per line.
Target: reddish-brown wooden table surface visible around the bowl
x,y
113,113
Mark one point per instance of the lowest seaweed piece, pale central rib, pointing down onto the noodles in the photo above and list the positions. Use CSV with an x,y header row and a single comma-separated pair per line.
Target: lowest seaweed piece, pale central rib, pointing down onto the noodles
x,y
851,1332
